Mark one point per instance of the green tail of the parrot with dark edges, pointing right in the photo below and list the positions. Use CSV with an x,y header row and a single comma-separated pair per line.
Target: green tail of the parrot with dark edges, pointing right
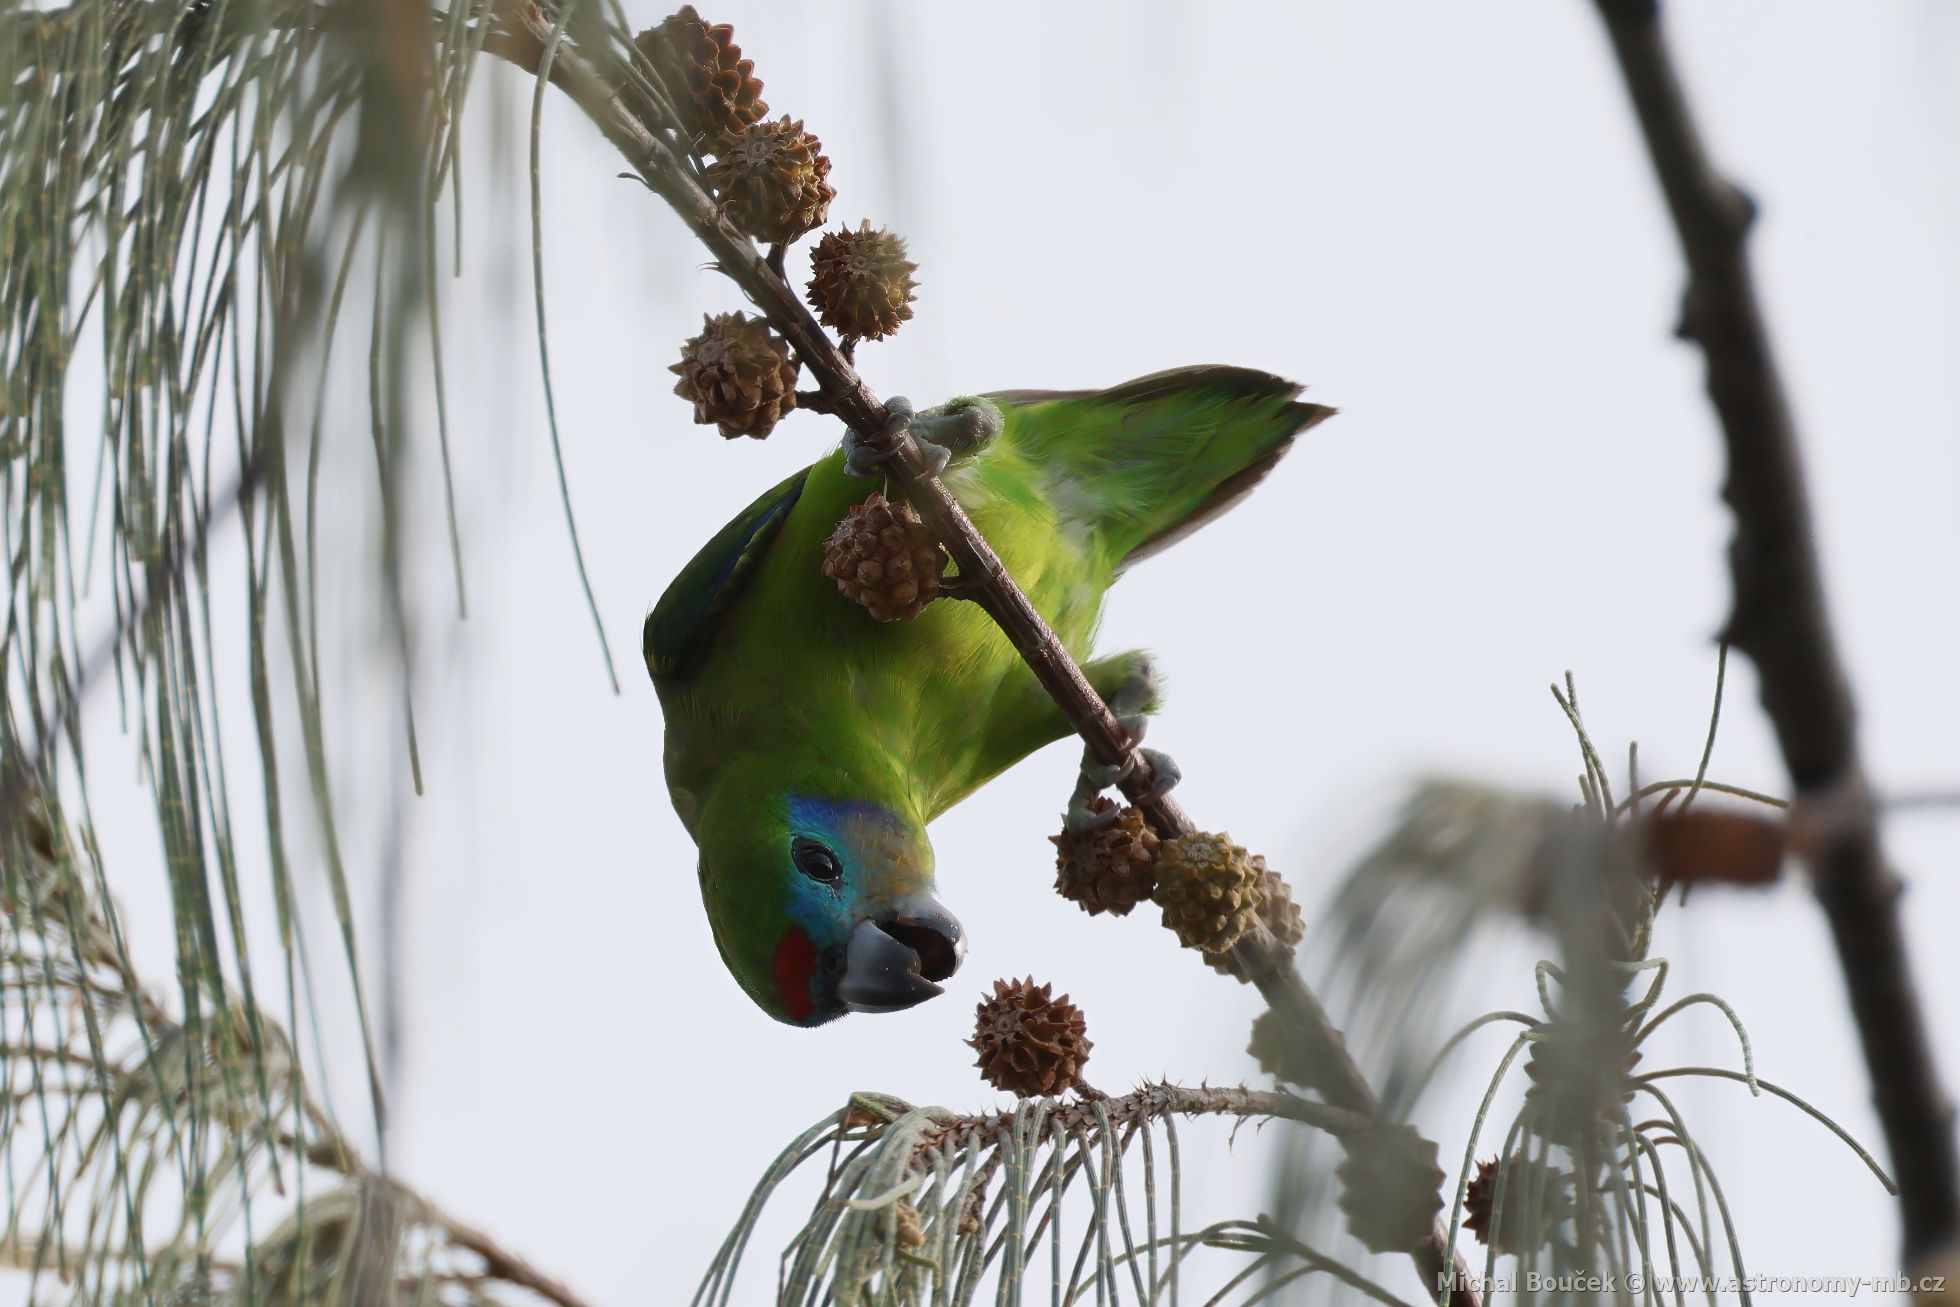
x,y
1150,461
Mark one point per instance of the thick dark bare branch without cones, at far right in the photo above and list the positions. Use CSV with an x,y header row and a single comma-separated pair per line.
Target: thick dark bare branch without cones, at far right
x,y
1781,622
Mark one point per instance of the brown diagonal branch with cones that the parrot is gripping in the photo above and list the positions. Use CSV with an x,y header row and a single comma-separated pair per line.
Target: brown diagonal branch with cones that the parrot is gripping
x,y
1265,961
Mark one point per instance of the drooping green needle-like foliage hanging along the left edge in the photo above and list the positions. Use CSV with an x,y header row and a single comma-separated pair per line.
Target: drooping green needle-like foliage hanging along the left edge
x,y
191,195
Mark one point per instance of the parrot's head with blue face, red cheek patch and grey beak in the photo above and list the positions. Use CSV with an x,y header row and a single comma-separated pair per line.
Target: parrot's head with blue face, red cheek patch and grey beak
x,y
824,906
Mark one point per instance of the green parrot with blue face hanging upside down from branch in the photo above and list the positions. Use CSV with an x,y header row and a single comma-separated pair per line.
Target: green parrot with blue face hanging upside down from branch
x,y
808,746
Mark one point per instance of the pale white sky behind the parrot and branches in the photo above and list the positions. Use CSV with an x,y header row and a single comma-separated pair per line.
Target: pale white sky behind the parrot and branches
x,y
1442,220
